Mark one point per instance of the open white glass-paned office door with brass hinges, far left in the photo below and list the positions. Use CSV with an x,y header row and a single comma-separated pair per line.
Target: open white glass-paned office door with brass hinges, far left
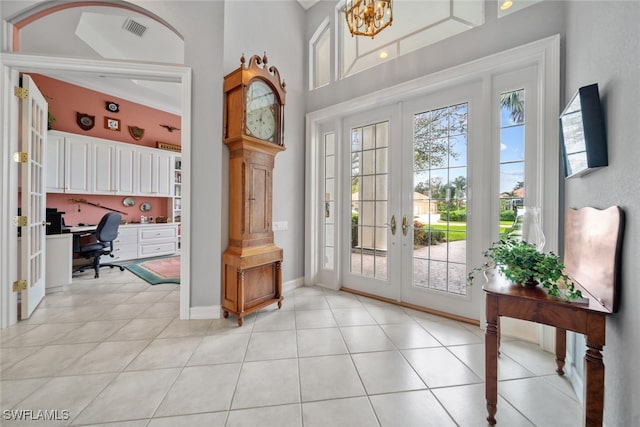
x,y
33,135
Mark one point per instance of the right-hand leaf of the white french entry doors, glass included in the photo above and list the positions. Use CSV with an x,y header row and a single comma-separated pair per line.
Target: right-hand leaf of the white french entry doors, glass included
x,y
441,135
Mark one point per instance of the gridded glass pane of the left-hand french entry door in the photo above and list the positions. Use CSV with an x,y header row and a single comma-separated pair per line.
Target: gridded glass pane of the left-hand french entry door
x,y
369,200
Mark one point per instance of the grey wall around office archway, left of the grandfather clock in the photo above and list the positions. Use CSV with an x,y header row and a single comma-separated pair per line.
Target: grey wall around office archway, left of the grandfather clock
x,y
201,24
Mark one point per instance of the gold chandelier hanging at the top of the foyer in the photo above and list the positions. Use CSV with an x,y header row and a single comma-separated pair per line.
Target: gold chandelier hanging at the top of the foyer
x,y
368,17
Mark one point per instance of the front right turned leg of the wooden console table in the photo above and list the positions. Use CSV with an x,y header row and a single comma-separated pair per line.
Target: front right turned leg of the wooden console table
x,y
594,384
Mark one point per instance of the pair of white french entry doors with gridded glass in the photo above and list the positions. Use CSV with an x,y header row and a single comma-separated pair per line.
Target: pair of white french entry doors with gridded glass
x,y
408,203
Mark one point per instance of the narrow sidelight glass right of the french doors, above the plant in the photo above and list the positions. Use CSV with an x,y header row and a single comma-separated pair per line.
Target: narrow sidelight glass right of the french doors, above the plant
x,y
511,199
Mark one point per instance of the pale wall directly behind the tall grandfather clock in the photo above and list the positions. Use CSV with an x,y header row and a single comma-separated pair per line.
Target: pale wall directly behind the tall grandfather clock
x,y
253,27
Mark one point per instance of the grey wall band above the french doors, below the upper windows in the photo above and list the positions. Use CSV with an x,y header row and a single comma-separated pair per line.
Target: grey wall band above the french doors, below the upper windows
x,y
533,23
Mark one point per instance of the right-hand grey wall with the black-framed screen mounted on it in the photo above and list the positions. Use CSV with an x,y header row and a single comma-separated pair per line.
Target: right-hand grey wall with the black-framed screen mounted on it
x,y
602,46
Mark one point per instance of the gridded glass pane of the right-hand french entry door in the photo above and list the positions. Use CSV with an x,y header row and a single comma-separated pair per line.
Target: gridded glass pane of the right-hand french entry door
x,y
440,199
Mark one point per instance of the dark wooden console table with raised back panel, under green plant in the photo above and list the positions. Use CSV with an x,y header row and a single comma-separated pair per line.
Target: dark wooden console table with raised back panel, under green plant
x,y
593,240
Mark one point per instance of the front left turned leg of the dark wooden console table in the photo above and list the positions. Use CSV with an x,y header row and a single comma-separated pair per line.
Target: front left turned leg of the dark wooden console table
x,y
491,358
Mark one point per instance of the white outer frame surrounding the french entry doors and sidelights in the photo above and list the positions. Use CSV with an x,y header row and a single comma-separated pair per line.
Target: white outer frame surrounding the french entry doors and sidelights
x,y
543,54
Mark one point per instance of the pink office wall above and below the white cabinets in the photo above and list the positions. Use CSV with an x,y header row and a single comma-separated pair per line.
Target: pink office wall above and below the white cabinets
x,y
64,101
